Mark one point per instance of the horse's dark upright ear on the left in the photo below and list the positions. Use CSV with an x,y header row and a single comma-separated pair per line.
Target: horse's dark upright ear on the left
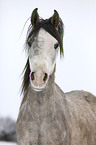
x,y
34,17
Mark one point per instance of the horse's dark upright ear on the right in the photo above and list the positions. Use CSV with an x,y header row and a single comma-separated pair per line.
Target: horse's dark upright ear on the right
x,y
55,19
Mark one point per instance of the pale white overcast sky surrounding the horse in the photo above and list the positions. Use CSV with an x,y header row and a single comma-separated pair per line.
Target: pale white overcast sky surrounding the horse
x,y
77,71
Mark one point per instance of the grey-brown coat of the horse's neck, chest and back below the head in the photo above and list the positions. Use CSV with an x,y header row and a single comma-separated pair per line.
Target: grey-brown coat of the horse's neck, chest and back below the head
x,y
51,117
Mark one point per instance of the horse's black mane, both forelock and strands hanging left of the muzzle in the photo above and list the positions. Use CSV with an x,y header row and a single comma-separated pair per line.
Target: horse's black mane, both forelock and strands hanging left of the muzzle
x,y
32,31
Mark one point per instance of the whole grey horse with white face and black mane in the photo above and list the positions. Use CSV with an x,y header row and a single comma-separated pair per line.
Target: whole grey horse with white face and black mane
x,y
47,115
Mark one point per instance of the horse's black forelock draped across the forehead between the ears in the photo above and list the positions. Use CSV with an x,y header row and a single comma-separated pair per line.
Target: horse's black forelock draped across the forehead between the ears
x,y
46,24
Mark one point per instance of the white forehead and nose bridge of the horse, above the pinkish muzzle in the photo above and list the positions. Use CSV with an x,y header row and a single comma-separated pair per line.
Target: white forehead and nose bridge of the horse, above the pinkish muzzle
x,y
42,53
